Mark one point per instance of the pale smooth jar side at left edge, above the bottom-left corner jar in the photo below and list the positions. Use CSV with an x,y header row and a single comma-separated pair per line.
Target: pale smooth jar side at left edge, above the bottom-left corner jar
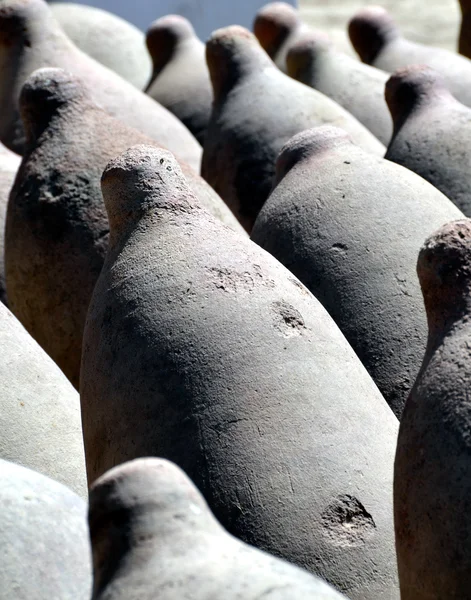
x,y
39,410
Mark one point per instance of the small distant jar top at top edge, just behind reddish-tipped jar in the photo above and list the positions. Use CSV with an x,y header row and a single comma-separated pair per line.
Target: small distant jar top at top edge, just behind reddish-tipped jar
x,y
277,27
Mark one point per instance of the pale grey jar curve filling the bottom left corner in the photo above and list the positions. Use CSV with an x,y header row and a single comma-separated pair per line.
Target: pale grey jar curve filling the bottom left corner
x,y
43,536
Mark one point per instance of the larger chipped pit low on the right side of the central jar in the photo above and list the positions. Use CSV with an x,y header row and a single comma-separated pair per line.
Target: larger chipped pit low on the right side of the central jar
x,y
347,522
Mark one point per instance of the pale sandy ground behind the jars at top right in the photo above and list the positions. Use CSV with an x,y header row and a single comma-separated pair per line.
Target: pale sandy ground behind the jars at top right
x,y
434,22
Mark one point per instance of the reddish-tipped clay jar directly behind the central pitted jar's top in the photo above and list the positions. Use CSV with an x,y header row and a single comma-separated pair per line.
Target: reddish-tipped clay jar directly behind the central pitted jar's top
x,y
257,109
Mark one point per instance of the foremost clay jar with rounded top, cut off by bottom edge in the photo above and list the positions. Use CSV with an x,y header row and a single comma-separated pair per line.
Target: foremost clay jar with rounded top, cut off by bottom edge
x,y
153,536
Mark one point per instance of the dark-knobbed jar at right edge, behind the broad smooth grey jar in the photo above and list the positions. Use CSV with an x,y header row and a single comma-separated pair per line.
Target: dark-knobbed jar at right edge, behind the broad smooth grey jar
x,y
432,132
